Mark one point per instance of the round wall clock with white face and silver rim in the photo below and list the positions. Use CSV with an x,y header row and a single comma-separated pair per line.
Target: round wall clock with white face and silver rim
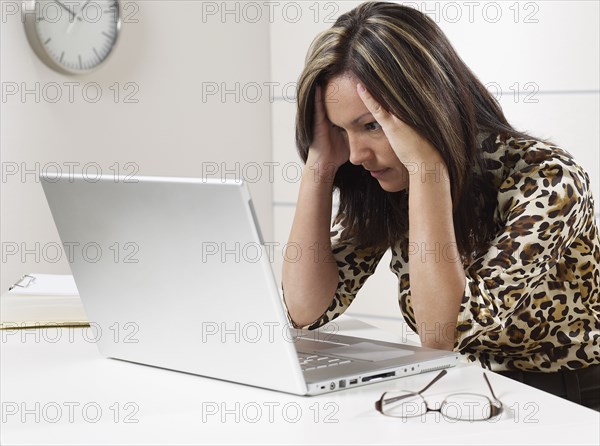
x,y
73,37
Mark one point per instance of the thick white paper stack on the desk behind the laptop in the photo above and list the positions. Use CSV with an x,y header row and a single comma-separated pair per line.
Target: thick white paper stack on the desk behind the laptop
x,y
42,300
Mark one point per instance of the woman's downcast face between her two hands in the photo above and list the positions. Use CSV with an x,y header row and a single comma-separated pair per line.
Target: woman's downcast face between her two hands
x,y
366,141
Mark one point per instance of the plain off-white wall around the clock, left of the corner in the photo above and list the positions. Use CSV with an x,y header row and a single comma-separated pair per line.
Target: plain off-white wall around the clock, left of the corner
x,y
169,55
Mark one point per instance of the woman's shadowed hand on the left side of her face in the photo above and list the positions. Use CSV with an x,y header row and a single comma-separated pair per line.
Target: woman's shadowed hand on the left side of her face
x,y
329,149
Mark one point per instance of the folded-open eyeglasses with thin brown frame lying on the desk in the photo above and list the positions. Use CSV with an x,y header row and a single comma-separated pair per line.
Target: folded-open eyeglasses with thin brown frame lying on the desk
x,y
458,406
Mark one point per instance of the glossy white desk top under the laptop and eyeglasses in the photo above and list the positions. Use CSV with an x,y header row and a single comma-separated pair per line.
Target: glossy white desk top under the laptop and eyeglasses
x,y
64,392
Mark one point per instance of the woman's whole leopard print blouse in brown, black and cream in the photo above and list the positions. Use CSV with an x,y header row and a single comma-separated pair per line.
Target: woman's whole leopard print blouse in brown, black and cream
x,y
532,300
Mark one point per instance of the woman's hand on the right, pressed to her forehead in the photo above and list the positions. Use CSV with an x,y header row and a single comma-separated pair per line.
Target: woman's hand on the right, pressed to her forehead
x,y
409,146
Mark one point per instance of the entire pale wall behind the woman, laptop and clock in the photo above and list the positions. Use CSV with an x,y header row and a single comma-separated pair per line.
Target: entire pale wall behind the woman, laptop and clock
x,y
174,50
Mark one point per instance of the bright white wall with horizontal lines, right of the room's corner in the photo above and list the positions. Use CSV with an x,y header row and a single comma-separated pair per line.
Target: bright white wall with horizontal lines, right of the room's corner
x,y
550,48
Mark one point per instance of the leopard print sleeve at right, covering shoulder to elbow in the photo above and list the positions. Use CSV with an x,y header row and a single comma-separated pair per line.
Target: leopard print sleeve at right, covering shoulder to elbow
x,y
542,209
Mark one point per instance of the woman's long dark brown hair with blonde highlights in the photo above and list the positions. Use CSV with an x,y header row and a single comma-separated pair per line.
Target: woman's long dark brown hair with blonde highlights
x,y
408,65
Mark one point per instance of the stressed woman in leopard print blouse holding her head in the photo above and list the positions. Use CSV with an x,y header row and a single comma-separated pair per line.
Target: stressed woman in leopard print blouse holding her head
x,y
496,225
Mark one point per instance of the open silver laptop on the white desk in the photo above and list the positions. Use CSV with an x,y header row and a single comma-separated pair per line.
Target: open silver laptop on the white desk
x,y
174,273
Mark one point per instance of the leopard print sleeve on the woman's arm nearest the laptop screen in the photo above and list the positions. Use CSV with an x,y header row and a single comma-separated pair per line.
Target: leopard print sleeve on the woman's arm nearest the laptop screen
x,y
355,266
